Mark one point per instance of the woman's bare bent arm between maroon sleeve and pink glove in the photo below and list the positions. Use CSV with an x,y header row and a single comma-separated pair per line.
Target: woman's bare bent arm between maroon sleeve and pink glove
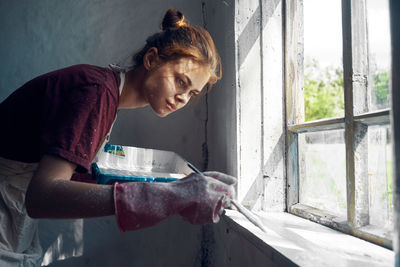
x,y
51,194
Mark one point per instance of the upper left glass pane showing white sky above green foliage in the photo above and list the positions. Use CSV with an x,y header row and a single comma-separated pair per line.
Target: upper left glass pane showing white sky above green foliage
x,y
323,71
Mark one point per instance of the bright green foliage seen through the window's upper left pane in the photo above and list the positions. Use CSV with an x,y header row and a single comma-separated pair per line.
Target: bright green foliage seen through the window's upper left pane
x,y
323,92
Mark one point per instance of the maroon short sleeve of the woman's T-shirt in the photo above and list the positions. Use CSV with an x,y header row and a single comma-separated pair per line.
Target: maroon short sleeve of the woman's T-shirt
x,y
76,125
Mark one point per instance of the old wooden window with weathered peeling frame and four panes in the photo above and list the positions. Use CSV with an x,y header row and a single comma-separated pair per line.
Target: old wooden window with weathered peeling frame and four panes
x,y
337,65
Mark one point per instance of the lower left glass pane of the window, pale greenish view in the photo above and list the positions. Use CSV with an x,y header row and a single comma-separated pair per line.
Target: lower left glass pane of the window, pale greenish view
x,y
322,161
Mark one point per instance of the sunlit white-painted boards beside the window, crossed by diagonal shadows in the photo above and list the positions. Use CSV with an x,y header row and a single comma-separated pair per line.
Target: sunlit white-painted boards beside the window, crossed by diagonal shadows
x,y
259,104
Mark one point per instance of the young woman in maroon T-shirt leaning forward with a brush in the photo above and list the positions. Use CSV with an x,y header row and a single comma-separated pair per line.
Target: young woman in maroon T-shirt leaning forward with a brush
x,y
54,125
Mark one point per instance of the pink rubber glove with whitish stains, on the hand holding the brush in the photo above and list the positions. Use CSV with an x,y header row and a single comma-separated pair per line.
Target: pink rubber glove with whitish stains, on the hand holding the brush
x,y
198,199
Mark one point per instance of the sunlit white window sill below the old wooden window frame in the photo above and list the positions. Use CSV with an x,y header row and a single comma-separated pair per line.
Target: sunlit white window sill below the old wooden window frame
x,y
306,243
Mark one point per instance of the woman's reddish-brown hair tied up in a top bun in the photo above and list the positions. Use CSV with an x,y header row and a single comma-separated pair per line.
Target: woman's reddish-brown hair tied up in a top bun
x,y
179,39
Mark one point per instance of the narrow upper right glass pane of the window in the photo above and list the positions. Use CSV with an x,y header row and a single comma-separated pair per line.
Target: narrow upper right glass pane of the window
x,y
379,53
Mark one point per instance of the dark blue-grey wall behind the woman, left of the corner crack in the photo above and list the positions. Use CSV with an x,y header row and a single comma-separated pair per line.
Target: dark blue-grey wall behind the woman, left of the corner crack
x,y
40,36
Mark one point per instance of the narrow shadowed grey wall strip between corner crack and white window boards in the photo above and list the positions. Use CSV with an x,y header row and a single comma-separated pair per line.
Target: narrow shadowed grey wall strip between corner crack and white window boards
x,y
222,121
